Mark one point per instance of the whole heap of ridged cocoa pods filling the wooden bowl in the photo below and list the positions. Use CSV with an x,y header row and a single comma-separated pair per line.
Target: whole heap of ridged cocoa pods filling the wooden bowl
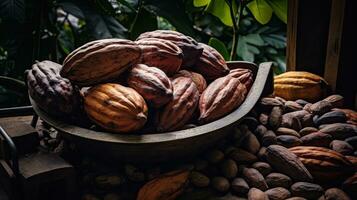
x,y
160,82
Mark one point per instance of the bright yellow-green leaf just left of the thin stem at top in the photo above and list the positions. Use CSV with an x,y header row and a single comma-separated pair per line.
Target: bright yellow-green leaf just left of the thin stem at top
x,y
220,9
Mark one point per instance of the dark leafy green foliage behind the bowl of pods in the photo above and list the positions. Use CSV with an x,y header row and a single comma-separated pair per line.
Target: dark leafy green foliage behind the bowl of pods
x,y
250,30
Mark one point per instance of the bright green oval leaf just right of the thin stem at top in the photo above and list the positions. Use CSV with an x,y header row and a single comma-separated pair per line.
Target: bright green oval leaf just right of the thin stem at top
x,y
261,11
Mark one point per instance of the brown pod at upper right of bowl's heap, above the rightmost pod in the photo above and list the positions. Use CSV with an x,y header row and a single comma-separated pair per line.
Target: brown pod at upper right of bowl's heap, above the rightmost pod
x,y
211,63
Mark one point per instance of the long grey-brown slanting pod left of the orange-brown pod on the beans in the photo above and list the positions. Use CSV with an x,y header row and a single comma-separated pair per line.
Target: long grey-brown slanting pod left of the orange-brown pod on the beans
x,y
284,161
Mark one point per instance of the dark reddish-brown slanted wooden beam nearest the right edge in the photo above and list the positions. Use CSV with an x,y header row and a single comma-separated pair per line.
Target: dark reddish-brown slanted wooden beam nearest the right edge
x,y
334,42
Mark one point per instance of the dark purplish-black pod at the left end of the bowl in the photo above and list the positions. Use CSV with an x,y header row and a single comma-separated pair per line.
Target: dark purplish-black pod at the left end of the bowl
x,y
51,92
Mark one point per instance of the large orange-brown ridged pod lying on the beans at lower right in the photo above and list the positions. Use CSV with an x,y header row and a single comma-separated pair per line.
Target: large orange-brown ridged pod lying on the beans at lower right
x,y
324,164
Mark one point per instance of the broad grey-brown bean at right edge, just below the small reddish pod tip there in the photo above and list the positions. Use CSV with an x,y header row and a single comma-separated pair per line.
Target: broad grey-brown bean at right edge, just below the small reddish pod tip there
x,y
340,130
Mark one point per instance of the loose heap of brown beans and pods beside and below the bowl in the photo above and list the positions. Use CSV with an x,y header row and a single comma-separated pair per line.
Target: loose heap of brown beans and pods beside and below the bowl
x,y
292,150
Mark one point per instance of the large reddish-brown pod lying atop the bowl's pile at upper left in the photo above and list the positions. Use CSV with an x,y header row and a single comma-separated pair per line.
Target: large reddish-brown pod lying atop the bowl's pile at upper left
x,y
100,61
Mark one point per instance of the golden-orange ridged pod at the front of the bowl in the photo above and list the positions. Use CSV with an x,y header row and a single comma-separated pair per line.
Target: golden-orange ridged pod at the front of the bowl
x,y
116,108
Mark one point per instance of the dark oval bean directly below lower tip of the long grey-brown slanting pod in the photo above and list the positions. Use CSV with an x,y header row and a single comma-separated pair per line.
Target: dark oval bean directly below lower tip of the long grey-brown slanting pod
x,y
307,190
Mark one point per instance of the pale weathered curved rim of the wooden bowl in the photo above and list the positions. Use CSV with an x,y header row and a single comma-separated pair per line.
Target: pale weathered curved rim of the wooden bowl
x,y
261,76
